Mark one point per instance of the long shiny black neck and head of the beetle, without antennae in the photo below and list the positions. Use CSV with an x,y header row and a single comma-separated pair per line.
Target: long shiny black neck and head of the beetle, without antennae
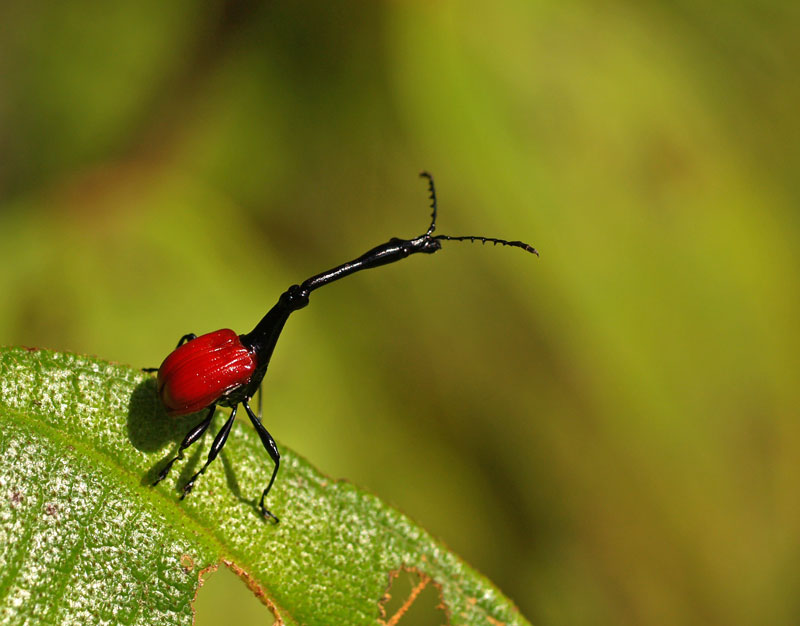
x,y
264,336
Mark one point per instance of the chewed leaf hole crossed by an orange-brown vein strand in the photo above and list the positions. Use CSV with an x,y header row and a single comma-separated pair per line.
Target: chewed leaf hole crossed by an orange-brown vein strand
x,y
412,599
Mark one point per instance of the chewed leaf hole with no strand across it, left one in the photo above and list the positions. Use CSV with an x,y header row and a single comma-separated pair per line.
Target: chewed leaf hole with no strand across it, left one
x,y
225,598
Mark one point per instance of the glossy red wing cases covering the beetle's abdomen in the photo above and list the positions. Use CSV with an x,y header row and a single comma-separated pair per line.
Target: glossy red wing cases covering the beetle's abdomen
x,y
198,373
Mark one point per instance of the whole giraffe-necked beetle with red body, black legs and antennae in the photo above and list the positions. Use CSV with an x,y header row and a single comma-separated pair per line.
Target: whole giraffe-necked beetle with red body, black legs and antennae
x,y
224,369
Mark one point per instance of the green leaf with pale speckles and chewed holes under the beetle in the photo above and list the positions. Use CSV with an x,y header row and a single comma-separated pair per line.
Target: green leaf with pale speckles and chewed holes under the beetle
x,y
84,539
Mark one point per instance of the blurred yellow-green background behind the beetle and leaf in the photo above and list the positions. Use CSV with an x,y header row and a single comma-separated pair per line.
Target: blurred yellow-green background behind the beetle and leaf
x,y
610,433
